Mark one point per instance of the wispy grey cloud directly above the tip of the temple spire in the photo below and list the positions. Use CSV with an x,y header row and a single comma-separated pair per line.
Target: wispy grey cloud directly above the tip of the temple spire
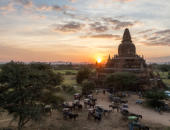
x,y
120,24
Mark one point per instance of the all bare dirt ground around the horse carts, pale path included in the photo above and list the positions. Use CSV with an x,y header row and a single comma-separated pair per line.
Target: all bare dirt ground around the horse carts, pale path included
x,y
113,121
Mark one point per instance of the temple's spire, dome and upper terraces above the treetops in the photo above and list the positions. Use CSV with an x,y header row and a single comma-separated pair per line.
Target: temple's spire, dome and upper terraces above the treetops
x,y
127,60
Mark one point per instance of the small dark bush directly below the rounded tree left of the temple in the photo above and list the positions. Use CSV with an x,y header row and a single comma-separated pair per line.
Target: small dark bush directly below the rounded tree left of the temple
x,y
87,87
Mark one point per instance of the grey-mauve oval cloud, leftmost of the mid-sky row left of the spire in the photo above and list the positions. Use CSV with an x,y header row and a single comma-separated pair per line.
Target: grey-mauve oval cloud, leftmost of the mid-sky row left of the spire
x,y
70,27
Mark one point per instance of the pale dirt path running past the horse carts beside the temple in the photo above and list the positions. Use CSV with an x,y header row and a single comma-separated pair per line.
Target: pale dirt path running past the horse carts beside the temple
x,y
148,114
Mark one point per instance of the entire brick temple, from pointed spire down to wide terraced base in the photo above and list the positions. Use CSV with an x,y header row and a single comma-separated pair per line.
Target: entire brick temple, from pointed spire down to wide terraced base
x,y
127,60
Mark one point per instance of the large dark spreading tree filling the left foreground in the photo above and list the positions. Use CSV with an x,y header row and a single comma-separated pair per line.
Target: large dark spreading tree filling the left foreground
x,y
23,88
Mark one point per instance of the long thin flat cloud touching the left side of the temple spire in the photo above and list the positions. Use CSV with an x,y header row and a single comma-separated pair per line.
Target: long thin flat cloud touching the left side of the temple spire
x,y
107,36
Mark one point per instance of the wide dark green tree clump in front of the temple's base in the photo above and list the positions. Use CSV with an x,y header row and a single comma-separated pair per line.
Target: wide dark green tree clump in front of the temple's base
x,y
122,81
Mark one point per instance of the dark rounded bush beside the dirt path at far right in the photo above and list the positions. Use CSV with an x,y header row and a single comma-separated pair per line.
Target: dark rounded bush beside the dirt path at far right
x,y
154,98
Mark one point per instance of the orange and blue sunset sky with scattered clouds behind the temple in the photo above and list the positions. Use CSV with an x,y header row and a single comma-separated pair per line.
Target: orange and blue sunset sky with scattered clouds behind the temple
x,y
81,30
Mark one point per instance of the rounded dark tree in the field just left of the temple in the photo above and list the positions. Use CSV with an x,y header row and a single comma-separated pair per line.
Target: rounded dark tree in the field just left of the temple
x,y
83,74
